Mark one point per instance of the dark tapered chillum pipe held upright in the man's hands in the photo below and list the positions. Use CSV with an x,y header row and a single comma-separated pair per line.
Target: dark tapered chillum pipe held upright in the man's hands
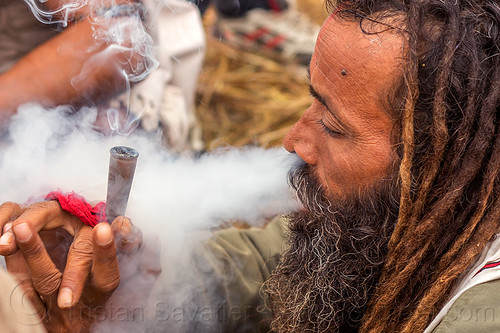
x,y
122,161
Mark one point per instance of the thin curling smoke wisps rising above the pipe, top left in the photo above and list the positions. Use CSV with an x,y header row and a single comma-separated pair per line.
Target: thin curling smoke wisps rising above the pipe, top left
x,y
120,31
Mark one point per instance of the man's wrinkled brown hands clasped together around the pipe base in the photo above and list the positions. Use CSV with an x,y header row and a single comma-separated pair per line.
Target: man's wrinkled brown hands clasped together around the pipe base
x,y
72,273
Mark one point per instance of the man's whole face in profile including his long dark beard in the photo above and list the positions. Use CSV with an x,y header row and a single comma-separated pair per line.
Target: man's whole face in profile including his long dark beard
x,y
349,187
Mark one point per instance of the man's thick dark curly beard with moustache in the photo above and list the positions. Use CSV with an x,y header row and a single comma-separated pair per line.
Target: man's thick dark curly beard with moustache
x,y
336,251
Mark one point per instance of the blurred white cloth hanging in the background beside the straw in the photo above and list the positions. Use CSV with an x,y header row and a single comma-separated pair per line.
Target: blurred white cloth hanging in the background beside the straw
x,y
166,97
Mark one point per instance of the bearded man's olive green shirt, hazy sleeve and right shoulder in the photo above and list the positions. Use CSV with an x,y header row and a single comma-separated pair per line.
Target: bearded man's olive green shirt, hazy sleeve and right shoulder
x,y
228,272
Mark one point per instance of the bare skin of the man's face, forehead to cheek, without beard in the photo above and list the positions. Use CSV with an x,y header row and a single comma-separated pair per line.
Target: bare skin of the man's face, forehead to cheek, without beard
x,y
345,135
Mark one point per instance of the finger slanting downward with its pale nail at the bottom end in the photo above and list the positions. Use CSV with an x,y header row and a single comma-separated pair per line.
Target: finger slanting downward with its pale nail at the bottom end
x,y
77,268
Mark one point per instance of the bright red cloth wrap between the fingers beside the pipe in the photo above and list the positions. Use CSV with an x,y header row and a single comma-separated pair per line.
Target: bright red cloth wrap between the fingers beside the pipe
x,y
77,205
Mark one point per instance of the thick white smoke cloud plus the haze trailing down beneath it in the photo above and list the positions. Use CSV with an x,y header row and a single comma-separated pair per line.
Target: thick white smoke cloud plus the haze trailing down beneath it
x,y
174,199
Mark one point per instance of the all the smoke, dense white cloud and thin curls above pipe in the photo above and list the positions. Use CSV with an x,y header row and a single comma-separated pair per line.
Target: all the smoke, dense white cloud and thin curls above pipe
x,y
175,200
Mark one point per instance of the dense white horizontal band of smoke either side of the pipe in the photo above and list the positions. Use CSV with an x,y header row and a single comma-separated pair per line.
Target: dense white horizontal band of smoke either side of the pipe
x,y
53,150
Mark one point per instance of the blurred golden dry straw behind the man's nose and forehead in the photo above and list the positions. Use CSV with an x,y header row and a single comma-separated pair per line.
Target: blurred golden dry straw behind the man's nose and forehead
x,y
247,99
